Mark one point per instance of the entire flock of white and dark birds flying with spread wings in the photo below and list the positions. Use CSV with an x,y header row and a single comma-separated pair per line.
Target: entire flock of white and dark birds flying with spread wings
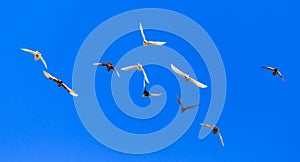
x,y
139,67
